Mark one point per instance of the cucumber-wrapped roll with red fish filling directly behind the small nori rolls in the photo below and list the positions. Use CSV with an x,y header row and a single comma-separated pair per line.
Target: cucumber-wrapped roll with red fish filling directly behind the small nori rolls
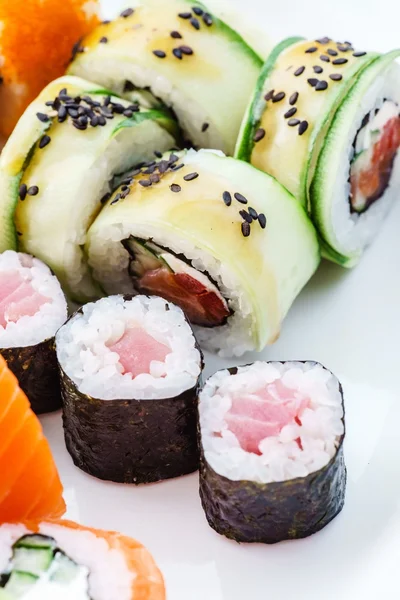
x,y
224,241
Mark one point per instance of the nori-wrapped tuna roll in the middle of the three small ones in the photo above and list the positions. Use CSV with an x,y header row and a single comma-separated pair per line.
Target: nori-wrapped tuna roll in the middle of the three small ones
x,y
130,373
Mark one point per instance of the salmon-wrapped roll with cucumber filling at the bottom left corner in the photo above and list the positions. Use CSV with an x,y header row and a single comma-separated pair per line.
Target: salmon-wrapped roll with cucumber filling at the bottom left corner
x,y
64,560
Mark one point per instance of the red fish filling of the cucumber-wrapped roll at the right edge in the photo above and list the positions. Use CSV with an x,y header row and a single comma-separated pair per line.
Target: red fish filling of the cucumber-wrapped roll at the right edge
x,y
376,146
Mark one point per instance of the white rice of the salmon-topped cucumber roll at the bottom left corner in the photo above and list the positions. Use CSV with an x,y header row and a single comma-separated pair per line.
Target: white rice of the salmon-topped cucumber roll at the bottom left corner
x,y
109,575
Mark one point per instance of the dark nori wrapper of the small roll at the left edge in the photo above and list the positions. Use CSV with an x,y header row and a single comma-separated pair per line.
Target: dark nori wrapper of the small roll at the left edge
x,y
36,369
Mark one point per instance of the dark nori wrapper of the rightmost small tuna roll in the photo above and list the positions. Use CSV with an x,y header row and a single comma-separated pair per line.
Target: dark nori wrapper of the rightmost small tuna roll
x,y
247,511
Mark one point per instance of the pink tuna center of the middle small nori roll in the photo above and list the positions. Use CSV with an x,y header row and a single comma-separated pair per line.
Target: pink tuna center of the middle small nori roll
x,y
137,349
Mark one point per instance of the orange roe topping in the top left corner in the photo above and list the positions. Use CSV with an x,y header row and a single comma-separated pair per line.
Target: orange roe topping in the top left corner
x,y
36,40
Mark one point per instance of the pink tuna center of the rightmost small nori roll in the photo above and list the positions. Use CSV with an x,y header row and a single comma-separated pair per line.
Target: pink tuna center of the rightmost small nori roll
x,y
255,417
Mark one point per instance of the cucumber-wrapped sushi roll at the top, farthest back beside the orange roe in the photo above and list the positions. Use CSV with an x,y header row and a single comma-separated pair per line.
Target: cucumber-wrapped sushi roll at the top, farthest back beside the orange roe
x,y
184,55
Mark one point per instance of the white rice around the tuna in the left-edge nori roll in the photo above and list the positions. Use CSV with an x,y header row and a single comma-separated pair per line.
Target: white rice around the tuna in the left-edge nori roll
x,y
29,331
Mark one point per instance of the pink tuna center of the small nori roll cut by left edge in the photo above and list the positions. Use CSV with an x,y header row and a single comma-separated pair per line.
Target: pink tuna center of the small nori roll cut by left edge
x,y
18,298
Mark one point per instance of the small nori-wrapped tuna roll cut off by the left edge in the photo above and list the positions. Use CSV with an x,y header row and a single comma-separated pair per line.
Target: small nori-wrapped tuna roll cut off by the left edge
x,y
32,309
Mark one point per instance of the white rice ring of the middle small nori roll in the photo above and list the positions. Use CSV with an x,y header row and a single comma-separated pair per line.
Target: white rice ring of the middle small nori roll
x,y
84,354
